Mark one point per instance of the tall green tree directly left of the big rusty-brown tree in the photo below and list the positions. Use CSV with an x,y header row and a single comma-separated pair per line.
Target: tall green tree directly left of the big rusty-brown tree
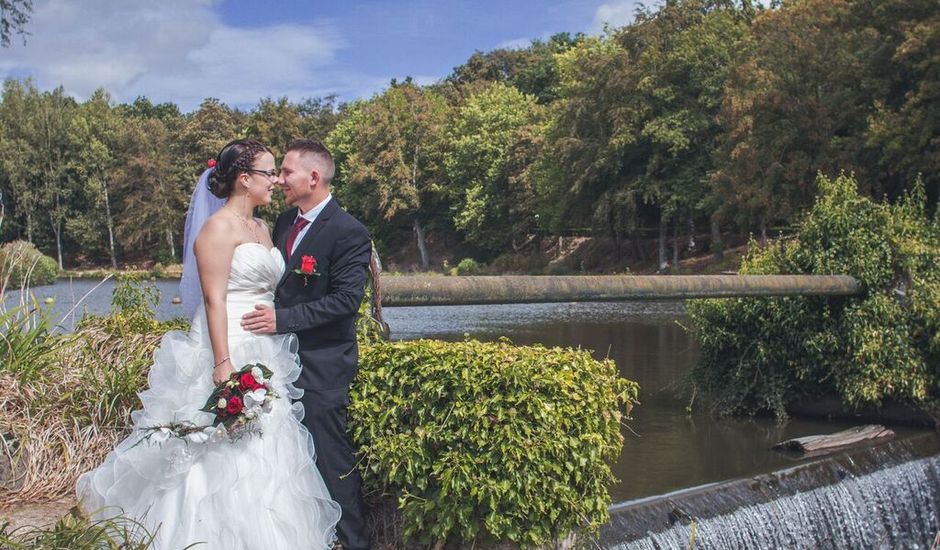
x,y
684,52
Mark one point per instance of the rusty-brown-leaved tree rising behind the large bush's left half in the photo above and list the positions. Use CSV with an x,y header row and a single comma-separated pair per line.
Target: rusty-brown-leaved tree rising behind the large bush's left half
x,y
797,103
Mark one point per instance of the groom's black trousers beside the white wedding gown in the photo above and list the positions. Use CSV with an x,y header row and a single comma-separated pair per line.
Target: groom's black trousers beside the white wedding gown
x,y
325,417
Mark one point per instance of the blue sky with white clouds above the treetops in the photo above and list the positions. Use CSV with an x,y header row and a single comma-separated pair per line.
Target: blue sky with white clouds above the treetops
x,y
241,51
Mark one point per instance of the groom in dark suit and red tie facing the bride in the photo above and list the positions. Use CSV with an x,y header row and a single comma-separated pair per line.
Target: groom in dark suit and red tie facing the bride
x,y
327,255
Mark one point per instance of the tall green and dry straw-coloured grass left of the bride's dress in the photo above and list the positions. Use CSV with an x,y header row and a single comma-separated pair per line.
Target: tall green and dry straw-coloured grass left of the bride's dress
x,y
65,399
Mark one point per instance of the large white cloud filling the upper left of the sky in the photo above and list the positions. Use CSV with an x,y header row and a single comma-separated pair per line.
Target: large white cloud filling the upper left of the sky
x,y
174,50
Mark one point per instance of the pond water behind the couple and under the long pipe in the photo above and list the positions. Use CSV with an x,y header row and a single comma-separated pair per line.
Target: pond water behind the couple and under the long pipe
x,y
666,448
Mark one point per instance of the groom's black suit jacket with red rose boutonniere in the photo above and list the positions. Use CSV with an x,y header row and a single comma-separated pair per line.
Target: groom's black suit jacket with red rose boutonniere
x,y
322,313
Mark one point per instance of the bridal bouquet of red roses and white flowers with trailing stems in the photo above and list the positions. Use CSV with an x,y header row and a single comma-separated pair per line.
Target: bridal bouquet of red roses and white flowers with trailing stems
x,y
237,405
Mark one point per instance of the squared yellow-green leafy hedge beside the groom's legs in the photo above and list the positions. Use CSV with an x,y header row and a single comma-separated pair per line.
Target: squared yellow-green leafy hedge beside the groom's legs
x,y
489,440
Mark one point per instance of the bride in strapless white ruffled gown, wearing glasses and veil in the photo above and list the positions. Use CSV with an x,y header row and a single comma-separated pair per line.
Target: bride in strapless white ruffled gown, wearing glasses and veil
x,y
254,492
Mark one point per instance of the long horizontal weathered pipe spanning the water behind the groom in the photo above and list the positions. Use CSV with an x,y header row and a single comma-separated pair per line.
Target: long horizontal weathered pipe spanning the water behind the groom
x,y
424,290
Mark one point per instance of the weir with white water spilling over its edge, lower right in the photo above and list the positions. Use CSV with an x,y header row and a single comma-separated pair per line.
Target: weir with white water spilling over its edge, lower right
x,y
887,496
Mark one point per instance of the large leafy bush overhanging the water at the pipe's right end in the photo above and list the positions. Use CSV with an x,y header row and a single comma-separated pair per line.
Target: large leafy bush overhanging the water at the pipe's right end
x,y
762,354
